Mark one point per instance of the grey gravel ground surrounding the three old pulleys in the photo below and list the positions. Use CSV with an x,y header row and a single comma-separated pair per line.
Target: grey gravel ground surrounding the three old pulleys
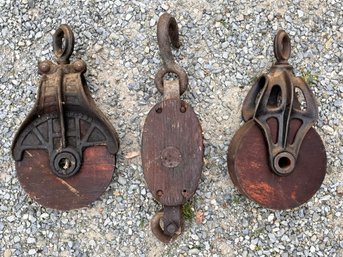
x,y
225,45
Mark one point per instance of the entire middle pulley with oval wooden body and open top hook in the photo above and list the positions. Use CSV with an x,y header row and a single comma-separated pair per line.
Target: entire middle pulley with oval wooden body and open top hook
x,y
172,144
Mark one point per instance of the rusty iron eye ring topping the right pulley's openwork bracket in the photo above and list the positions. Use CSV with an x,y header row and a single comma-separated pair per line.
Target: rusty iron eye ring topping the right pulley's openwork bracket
x,y
282,46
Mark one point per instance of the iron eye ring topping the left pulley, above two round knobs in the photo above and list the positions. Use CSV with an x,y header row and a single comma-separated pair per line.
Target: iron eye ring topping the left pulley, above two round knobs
x,y
63,43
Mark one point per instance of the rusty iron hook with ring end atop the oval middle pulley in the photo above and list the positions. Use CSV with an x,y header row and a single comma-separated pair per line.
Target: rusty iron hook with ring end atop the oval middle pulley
x,y
167,34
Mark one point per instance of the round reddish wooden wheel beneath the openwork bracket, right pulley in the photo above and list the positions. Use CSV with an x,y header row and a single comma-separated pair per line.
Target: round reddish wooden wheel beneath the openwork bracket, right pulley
x,y
250,170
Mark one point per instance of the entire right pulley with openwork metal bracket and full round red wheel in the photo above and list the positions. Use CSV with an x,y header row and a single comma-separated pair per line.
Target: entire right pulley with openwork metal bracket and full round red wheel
x,y
276,158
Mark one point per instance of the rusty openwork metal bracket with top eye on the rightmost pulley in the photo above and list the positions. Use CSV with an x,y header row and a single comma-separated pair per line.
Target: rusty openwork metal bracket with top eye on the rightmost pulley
x,y
273,98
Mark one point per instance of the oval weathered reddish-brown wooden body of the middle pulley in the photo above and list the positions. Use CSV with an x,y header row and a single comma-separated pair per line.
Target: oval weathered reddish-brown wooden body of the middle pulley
x,y
172,152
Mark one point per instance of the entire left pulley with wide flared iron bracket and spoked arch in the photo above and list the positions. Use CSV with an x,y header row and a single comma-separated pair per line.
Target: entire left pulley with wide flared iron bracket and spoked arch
x,y
65,149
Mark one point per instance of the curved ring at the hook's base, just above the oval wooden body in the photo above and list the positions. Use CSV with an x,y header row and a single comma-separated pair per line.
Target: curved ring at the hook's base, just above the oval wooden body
x,y
182,75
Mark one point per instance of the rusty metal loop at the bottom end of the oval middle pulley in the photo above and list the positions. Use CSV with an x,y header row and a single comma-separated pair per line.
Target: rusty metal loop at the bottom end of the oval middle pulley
x,y
172,223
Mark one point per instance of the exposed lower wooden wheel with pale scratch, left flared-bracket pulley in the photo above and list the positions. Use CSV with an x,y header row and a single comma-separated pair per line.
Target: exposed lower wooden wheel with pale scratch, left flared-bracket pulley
x,y
42,185
